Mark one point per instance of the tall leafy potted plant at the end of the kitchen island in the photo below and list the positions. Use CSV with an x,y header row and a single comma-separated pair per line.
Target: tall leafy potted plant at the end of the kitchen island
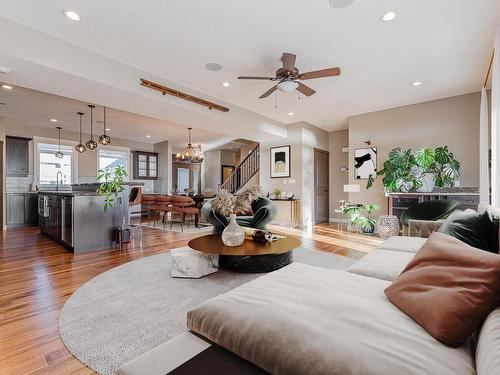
x,y
113,189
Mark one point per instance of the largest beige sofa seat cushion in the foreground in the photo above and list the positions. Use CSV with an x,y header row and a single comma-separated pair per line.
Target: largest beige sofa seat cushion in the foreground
x,y
304,319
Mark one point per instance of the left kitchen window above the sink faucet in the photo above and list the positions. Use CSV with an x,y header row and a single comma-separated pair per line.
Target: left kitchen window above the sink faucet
x,y
50,166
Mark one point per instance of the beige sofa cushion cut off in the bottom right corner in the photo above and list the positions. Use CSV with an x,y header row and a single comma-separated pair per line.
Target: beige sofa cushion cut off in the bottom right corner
x,y
488,346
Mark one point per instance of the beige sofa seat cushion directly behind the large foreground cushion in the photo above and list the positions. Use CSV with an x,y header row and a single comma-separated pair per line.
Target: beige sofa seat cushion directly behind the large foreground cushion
x,y
382,264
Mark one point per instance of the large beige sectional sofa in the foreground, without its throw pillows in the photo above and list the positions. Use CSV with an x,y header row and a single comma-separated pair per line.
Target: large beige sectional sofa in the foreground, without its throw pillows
x,y
304,319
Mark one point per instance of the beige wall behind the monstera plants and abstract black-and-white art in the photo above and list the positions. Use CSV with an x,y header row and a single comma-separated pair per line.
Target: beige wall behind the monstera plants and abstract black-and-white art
x,y
452,121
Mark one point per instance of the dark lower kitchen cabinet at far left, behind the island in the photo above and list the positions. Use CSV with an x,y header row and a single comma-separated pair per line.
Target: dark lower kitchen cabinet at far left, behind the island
x,y
22,209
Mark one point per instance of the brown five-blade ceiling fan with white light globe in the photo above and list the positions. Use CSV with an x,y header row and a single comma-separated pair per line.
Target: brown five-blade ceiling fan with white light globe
x,y
288,76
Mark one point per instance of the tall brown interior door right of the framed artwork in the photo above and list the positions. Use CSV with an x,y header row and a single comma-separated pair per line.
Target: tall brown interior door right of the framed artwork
x,y
321,186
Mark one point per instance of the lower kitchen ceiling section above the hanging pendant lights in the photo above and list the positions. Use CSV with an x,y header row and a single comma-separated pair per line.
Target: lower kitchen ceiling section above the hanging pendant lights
x,y
34,108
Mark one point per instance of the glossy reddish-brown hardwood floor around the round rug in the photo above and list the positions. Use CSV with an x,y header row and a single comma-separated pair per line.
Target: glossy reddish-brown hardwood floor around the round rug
x,y
37,276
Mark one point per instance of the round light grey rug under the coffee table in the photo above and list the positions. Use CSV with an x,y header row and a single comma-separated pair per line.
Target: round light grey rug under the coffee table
x,y
130,309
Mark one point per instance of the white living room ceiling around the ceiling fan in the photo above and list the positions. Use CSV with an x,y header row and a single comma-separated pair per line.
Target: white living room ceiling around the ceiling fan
x,y
446,44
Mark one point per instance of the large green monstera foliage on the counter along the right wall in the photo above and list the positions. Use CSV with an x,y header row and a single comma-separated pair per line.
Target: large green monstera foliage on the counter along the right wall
x,y
405,172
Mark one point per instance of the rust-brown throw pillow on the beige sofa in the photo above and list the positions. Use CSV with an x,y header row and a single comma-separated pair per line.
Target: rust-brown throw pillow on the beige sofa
x,y
448,288
